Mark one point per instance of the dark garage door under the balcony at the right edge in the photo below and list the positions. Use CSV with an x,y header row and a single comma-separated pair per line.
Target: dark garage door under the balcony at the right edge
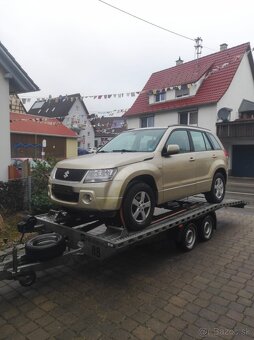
x,y
243,161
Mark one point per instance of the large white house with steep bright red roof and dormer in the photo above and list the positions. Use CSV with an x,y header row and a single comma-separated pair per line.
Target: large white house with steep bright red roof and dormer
x,y
198,92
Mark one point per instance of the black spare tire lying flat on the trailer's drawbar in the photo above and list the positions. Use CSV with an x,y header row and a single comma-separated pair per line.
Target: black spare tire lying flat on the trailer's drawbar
x,y
45,247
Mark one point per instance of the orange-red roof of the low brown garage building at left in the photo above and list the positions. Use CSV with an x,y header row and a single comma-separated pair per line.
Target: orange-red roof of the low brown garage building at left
x,y
30,124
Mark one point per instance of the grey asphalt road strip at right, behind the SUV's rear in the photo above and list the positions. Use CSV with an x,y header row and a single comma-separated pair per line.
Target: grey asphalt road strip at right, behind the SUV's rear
x,y
242,189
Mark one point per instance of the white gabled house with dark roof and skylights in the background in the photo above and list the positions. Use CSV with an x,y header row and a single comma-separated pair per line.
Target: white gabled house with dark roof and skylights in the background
x,y
72,112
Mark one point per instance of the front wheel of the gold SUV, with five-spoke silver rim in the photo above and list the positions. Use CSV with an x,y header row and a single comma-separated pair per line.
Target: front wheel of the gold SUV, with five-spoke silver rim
x,y
138,206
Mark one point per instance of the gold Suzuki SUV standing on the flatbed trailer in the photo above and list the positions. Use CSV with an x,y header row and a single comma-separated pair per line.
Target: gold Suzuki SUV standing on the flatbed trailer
x,y
139,170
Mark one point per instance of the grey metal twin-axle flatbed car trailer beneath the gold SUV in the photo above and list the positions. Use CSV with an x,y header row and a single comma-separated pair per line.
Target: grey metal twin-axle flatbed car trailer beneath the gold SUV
x,y
63,234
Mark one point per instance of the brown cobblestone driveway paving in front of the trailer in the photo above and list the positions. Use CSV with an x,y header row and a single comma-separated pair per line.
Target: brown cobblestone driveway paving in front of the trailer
x,y
148,292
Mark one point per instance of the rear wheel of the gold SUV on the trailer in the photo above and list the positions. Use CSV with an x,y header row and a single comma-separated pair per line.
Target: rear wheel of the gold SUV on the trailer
x,y
217,193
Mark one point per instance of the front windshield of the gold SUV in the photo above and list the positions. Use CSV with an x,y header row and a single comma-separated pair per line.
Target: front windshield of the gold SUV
x,y
143,140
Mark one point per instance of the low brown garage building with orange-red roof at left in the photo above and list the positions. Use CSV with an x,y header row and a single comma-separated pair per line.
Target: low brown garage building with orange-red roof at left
x,y
29,131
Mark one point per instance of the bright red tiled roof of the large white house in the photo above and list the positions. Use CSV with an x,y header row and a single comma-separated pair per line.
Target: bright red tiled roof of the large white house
x,y
219,69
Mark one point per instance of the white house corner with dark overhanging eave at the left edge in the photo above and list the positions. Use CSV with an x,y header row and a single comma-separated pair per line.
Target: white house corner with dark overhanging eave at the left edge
x,y
13,79
